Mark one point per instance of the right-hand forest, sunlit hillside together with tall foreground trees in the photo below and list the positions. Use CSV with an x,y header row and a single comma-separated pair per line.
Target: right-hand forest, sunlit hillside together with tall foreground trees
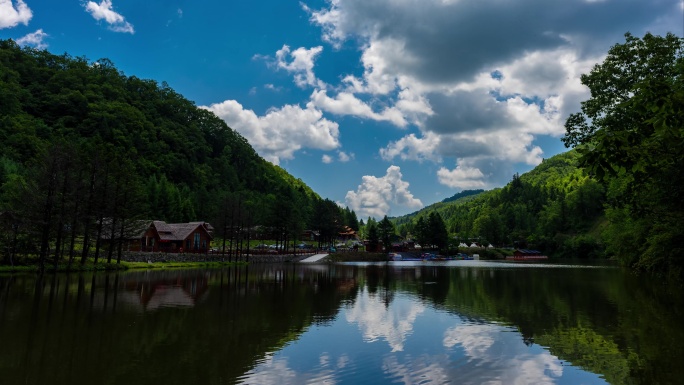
x,y
620,192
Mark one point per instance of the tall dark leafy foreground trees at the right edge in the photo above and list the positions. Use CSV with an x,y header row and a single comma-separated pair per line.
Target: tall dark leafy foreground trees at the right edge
x,y
631,134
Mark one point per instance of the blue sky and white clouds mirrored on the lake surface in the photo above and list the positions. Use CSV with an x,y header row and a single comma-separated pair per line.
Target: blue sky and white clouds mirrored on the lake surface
x,y
405,341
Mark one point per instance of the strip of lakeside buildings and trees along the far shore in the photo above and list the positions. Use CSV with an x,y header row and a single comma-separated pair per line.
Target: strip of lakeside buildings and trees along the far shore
x,y
156,241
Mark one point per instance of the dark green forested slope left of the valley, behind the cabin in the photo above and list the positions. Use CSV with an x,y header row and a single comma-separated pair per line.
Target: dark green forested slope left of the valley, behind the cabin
x,y
86,150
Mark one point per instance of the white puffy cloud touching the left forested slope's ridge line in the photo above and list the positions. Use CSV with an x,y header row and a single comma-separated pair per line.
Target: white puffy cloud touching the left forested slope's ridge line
x,y
281,132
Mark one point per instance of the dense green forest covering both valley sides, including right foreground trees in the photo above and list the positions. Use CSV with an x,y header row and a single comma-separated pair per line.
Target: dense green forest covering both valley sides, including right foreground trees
x,y
86,150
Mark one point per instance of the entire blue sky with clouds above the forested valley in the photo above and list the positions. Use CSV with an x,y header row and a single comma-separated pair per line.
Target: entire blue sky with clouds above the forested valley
x,y
384,106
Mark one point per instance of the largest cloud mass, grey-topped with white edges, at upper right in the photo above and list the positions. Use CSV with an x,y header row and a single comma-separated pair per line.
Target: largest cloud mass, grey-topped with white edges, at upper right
x,y
481,81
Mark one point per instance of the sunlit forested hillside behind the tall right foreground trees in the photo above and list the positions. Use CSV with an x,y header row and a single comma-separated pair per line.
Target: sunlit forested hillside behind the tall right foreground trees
x,y
555,207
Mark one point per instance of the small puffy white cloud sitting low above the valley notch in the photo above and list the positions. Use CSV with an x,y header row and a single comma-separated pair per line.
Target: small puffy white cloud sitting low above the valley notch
x,y
375,196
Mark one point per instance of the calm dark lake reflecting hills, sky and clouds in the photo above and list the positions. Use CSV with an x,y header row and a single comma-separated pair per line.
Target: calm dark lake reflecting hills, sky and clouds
x,y
457,322
